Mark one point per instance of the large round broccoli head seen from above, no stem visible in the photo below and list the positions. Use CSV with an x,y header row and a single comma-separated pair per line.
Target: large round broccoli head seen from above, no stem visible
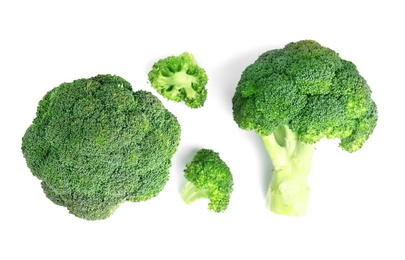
x,y
95,144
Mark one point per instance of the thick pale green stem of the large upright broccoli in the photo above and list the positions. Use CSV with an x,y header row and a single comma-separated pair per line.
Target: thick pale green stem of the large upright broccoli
x,y
288,190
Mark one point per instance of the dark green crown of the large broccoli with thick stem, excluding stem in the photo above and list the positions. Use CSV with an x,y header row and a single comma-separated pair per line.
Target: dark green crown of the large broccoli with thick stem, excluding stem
x,y
310,89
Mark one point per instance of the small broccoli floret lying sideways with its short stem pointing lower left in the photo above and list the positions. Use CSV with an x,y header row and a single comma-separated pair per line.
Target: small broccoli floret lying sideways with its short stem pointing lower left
x,y
208,177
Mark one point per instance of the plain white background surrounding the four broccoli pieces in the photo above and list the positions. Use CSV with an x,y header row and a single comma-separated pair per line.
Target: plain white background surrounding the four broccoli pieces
x,y
357,201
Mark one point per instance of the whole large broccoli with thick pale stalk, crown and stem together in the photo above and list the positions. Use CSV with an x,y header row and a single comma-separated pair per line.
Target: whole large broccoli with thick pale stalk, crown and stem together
x,y
292,98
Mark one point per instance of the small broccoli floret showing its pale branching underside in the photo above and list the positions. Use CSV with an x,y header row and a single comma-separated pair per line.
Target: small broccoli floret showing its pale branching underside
x,y
179,78
